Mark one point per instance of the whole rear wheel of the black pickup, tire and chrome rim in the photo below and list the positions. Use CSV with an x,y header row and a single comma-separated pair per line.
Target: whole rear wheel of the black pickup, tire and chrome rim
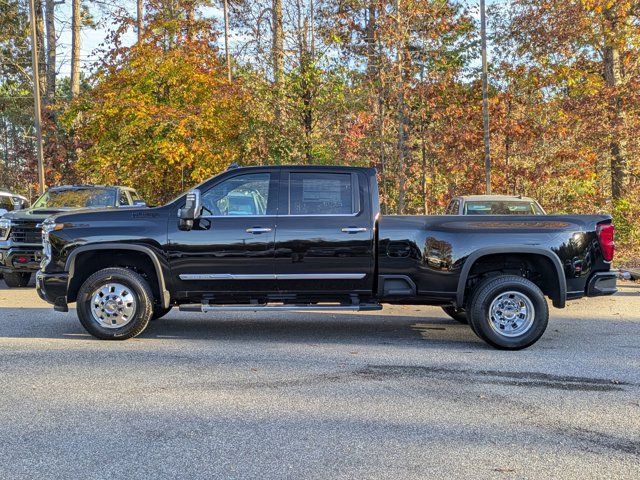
x,y
508,312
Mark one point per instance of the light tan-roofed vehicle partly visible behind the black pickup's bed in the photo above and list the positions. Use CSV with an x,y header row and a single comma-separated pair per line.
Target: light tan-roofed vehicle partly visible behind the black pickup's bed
x,y
493,205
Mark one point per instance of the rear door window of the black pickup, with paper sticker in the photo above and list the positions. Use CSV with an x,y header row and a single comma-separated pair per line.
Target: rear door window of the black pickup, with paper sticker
x,y
320,194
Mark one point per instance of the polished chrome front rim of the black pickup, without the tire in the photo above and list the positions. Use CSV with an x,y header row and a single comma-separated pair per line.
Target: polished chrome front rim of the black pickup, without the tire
x,y
113,305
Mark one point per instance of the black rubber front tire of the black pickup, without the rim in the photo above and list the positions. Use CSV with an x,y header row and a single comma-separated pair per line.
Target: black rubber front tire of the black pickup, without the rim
x,y
139,289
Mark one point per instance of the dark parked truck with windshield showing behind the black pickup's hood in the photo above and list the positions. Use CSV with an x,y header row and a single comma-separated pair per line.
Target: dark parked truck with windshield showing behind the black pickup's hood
x,y
21,233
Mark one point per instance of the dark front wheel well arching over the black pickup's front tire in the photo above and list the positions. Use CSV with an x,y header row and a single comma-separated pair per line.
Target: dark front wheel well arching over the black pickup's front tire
x,y
88,263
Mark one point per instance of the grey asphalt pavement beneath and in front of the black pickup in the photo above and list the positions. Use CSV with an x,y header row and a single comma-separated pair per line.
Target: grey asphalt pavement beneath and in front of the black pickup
x,y
404,393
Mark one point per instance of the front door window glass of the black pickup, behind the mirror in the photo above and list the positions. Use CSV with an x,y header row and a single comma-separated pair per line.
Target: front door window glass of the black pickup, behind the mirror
x,y
240,195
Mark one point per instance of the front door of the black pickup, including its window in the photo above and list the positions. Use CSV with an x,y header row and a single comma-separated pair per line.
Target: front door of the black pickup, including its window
x,y
231,247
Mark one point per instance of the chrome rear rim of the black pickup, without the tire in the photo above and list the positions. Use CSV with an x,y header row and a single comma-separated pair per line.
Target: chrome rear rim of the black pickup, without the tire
x,y
511,314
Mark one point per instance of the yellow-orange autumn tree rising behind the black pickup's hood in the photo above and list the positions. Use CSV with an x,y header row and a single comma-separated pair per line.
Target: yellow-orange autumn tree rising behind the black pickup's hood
x,y
144,125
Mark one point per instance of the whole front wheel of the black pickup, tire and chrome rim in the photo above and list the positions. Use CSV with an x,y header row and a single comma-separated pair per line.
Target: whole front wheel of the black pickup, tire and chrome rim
x,y
115,304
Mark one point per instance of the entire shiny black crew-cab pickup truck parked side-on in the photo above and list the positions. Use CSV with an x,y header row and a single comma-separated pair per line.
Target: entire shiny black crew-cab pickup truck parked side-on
x,y
312,238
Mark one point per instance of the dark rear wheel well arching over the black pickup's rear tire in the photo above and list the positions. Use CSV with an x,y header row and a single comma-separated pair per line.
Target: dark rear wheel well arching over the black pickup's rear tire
x,y
535,267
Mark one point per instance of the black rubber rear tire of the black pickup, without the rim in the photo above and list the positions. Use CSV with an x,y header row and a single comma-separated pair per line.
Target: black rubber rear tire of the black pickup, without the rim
x,y
525,290
